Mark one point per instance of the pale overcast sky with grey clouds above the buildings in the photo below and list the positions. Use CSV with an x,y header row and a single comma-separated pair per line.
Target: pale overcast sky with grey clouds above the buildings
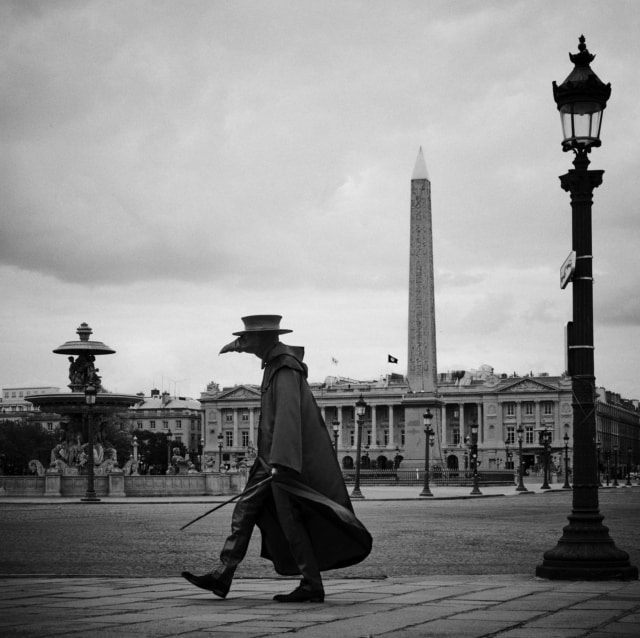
x,y
170,166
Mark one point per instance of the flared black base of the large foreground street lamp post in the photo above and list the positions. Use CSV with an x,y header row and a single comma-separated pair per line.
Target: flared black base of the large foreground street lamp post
x,y
586,552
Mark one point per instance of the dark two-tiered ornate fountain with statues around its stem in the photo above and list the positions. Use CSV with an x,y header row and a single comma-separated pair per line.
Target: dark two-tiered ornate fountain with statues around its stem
x,y
83,450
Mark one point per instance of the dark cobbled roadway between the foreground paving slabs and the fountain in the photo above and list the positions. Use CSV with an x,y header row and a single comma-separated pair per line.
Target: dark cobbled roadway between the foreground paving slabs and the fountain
x,y
412,537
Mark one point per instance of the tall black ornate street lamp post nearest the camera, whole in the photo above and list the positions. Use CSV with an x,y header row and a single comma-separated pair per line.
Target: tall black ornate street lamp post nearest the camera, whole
x,y
585,551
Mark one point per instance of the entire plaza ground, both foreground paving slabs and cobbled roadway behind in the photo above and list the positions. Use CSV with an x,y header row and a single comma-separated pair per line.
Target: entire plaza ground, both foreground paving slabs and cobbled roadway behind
x,y
453,565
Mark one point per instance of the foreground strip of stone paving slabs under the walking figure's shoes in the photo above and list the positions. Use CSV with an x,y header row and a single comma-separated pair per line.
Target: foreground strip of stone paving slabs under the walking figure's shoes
x,y
505,606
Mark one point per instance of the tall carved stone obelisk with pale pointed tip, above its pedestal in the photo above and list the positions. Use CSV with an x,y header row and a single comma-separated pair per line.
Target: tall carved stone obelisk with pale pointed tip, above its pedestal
x,y
422,371
